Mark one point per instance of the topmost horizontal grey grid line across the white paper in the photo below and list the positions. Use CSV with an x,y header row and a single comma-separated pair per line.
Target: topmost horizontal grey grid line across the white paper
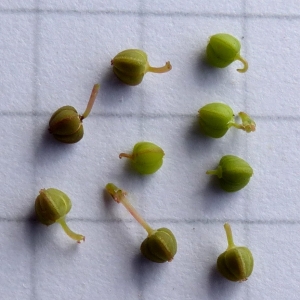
x,y
149,13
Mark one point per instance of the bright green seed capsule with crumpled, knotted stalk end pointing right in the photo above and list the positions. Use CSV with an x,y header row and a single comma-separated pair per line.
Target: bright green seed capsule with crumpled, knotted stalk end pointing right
x,y
216,118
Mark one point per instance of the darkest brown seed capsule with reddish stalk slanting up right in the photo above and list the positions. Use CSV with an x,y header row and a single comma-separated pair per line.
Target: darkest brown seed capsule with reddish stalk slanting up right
x,y
66,124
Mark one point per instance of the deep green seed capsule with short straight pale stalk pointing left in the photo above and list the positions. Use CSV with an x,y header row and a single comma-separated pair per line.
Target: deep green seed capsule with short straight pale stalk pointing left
x,y
233,172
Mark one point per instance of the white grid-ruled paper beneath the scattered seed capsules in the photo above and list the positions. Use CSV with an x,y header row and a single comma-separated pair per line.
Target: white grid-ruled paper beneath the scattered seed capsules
x,y
51,54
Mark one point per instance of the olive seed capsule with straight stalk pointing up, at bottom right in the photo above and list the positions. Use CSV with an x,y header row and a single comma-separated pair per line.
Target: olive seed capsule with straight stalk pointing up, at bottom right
x,y
236,263
